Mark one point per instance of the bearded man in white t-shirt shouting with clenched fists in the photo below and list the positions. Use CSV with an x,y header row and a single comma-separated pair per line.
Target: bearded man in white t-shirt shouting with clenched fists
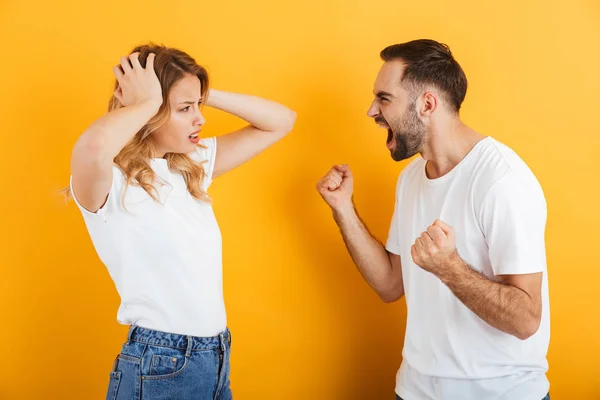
x,y
466,242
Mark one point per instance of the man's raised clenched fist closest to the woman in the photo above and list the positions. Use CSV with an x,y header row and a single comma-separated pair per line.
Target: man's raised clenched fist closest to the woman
x,y
336,187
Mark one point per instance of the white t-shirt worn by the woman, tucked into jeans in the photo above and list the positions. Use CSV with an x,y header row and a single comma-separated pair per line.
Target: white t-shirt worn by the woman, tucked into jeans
x,y
164,258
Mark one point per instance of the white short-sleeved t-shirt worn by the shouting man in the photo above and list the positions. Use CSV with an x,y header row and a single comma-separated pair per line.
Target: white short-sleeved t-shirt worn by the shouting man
x,y
497,208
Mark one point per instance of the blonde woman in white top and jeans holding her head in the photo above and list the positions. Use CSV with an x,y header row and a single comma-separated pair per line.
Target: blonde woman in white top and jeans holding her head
x,y
139,176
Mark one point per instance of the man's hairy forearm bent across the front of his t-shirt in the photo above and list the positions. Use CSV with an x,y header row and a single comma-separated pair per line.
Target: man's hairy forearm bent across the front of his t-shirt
x,y
502,306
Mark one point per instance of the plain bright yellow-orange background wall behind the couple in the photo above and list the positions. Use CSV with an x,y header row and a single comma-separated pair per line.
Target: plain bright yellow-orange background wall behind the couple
x,y
305,325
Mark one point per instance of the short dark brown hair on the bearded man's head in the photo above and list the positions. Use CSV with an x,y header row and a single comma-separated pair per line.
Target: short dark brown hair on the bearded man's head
x,y
428,62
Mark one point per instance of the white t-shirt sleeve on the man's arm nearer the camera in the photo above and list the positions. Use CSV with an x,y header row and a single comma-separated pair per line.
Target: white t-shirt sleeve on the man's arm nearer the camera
x,y
513,219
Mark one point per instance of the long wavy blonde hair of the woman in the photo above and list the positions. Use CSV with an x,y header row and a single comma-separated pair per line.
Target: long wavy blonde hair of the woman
x,y
170,66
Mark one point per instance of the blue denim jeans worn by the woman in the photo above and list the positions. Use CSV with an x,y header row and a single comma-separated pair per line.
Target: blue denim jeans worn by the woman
x,y
157,365
